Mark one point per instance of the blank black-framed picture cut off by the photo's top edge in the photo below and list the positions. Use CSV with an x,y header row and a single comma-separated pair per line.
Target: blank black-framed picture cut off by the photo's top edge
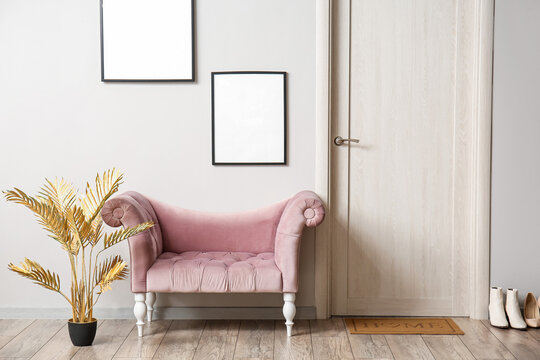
x,y
144,40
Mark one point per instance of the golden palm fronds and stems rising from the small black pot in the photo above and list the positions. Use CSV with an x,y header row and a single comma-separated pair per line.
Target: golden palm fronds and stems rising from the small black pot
x,y
75,222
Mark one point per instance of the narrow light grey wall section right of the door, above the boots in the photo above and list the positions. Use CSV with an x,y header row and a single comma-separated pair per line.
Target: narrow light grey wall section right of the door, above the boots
x,y
515,238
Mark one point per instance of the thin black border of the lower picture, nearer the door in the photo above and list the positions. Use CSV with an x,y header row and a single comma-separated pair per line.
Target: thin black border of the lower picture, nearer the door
x,y
284,122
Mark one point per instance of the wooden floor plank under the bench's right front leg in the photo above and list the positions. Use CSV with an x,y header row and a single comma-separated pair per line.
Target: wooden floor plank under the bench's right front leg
x,y
297,346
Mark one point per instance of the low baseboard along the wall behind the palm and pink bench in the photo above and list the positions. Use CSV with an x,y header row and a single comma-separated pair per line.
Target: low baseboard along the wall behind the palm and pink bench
x,y
171,313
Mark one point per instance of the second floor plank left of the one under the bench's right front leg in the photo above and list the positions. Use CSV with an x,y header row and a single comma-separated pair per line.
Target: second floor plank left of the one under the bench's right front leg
x,y
218,340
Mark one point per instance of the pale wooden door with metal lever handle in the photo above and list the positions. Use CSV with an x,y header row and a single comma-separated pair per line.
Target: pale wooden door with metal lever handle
x,y
398,232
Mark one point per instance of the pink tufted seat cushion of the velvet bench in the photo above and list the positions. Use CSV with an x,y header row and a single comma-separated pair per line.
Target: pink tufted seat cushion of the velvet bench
x,y
214,272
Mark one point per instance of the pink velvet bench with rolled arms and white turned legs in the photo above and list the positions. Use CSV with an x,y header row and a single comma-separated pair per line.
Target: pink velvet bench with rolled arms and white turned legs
x,y
190,251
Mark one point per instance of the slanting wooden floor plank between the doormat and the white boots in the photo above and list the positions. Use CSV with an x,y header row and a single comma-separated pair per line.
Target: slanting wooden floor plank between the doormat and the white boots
x,y
481,342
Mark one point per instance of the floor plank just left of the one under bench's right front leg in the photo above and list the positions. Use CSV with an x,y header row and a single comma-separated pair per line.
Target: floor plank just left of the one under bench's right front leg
x,y
255,340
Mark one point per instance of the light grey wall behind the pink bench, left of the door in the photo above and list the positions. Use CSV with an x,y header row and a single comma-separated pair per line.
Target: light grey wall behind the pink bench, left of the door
x,y
58,119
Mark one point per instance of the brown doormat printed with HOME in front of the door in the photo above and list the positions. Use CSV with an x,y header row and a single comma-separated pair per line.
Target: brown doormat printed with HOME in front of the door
x,y
389,326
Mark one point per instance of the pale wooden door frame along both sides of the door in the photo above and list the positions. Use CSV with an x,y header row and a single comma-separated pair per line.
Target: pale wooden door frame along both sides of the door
x,y
474,81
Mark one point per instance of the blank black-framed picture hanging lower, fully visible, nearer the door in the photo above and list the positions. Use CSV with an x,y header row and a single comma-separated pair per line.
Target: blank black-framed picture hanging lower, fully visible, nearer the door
x,y
249,118
